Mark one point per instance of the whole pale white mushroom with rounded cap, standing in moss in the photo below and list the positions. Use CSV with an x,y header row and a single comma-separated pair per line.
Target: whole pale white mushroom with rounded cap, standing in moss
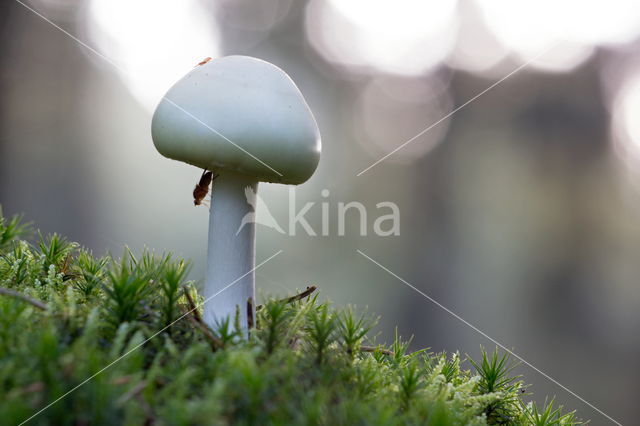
x,y
245,120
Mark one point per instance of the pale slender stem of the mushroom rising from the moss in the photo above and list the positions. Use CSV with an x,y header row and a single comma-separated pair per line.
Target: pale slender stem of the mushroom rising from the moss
x,y
231,252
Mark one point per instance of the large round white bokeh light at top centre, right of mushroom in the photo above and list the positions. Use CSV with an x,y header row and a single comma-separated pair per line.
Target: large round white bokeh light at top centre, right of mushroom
x,y
401,37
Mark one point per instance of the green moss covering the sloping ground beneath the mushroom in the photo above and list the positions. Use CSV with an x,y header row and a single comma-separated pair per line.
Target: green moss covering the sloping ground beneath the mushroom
x,y
106,341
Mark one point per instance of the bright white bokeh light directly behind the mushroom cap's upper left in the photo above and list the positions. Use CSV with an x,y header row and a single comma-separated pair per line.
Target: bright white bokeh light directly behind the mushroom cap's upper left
x,y
155,42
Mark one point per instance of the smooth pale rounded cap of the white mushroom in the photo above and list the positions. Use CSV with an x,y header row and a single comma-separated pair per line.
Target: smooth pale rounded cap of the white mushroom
x,y
240,114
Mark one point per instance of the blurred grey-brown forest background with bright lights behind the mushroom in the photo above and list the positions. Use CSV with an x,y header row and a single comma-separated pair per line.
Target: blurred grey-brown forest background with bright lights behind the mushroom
x,y
519,212
